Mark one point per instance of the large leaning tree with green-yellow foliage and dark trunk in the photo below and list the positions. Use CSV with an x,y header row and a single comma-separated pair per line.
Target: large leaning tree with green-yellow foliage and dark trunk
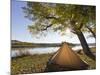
x,y
59,17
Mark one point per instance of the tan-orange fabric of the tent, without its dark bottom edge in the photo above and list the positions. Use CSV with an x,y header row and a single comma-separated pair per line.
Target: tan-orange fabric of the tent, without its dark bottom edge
x,y
66,57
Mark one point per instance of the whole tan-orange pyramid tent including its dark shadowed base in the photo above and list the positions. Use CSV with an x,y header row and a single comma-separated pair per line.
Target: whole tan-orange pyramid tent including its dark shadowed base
x,y
65,59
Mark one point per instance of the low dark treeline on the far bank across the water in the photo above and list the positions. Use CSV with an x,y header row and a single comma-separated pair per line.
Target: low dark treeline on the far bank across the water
x,y
20,44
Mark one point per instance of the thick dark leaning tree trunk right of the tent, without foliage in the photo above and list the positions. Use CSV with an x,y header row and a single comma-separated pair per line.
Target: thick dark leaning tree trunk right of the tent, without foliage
x,y
84,44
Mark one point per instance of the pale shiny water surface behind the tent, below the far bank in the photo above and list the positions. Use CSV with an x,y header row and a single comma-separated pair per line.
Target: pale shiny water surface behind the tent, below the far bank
x,y
42,50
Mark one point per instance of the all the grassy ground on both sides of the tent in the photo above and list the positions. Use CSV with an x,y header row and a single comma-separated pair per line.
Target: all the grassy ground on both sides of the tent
x,y
37,63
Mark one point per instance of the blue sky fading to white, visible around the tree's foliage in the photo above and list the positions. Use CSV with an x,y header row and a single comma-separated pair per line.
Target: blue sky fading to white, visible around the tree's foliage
x,y
20,32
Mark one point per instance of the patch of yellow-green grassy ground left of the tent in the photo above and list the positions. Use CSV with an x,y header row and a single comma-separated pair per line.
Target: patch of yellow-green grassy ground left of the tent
x,y
29,64
